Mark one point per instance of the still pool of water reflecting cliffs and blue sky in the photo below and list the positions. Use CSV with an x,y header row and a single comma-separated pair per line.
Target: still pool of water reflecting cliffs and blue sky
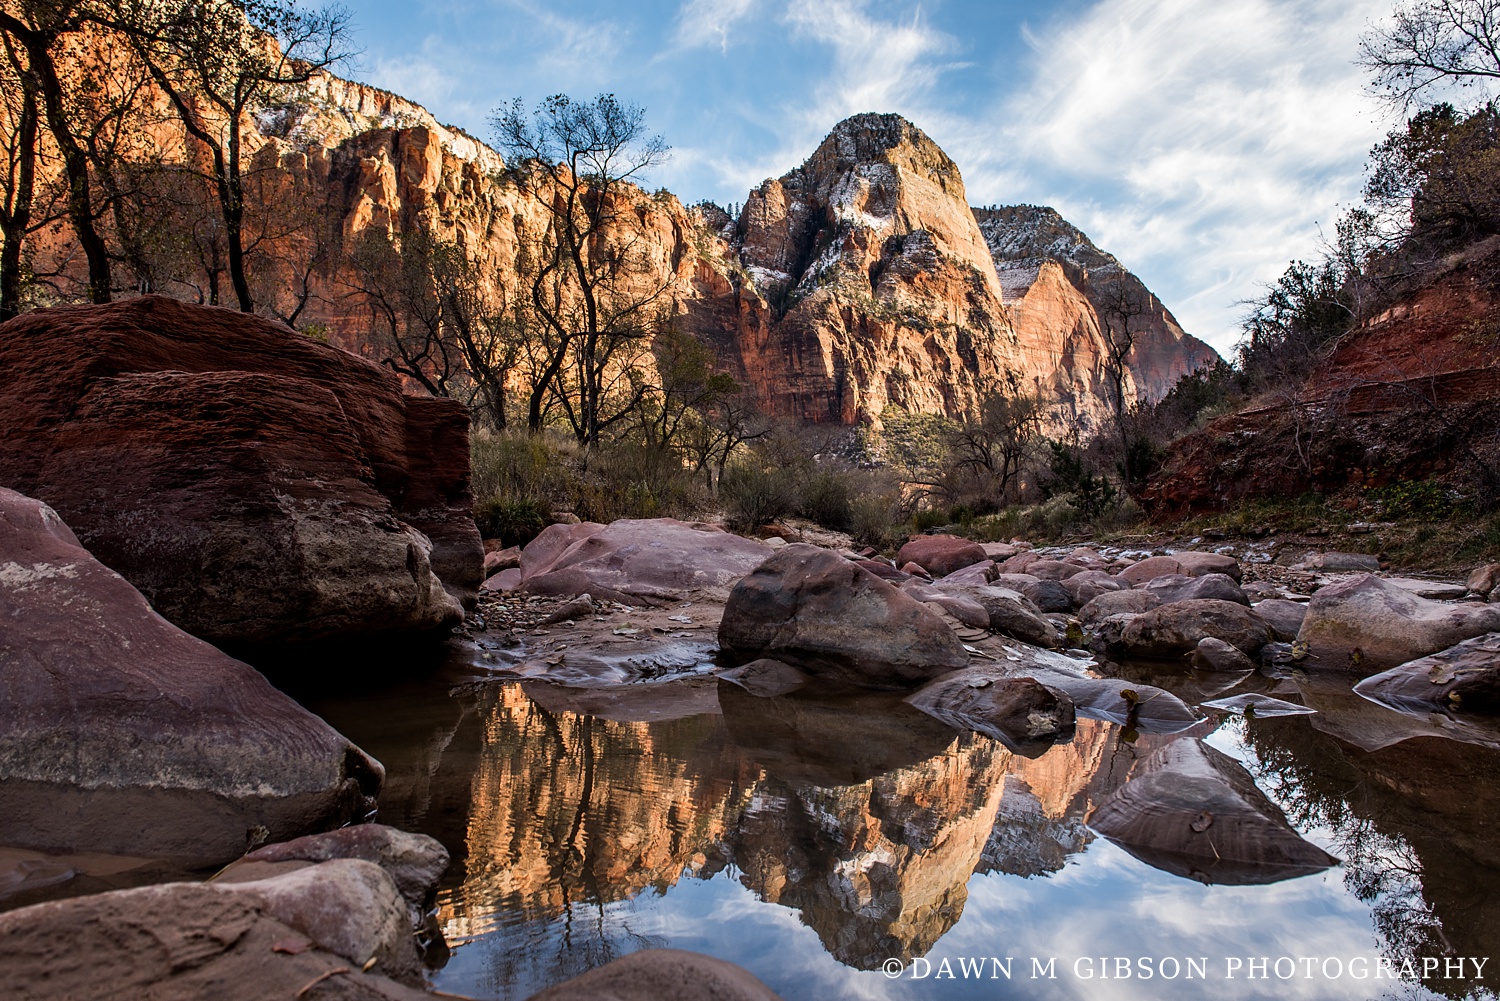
x,y
829,844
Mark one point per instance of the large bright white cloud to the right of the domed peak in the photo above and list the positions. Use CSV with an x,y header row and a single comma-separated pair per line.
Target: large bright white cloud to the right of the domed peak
x,y
1208,136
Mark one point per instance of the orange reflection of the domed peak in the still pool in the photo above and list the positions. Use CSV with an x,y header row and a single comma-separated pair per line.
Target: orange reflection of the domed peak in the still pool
x,y
877,868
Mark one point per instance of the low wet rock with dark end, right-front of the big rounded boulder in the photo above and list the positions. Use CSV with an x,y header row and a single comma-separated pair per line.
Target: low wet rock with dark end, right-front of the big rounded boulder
x,y
1018,712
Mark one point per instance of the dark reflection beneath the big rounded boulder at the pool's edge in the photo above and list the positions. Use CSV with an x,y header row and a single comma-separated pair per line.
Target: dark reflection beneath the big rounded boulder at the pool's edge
x,y
829,741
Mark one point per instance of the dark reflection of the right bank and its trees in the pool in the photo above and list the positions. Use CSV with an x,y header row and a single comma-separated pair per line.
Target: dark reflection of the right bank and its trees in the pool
x,y
1411,829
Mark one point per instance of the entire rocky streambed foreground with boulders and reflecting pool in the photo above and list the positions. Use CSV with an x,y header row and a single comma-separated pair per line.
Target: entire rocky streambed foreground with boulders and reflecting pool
x,y
656,736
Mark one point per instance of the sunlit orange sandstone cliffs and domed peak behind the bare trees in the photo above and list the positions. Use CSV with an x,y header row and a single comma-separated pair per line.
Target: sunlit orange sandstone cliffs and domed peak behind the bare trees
x,y
856,283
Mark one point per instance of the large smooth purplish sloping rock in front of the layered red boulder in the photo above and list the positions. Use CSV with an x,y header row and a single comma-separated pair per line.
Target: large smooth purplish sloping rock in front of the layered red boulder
x,y
122,735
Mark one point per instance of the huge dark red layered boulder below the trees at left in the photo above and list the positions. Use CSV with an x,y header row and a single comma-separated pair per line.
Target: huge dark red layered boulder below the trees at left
x,y
256,485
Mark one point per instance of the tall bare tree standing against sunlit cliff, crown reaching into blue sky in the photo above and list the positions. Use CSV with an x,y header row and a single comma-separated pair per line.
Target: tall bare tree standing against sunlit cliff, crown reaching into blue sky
x,y
592,296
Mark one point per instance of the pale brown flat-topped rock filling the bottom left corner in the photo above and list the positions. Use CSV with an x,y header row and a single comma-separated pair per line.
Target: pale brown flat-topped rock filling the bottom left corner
x,y
340,921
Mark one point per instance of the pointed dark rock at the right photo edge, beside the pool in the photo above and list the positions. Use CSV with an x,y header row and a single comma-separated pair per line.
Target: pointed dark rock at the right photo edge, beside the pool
x,y
1465,678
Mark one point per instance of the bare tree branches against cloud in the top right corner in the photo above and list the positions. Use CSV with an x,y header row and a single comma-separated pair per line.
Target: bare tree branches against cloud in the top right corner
x,y
1430,46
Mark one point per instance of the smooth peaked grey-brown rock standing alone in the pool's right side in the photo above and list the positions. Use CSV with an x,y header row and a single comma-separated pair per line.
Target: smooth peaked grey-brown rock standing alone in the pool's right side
x,y
1193,811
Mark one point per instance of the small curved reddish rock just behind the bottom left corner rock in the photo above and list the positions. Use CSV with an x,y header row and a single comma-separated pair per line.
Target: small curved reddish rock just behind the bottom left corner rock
x,y
415,862
